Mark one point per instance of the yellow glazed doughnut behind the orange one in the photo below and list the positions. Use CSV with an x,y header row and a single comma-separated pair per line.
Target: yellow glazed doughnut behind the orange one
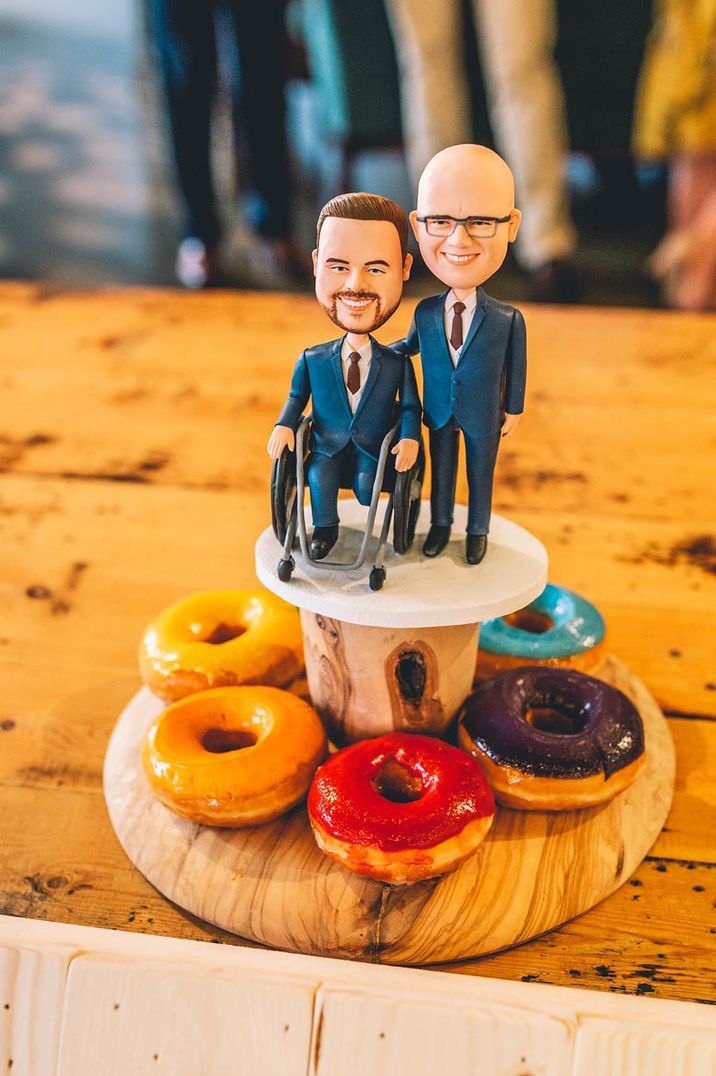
x,y
218,639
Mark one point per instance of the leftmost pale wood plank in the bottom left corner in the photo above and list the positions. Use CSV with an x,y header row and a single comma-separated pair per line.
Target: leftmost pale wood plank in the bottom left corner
x,y
32,992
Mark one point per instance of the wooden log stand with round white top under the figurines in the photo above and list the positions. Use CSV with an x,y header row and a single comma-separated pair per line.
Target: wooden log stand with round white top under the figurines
x,y
402,658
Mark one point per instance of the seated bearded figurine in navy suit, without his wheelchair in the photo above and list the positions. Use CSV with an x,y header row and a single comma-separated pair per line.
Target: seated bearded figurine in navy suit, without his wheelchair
x,y
358,388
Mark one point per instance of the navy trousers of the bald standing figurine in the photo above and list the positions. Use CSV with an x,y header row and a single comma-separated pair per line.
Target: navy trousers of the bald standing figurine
x,y
481,457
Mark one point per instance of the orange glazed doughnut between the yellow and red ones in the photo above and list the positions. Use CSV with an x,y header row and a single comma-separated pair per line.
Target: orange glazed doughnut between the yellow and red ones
x,y
234,757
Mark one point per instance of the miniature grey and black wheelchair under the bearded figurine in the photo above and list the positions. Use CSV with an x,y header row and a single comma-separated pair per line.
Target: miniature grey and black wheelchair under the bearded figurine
x,y
289,517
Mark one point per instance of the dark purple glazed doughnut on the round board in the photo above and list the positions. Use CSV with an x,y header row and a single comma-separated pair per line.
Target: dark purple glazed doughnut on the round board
x,y
553,740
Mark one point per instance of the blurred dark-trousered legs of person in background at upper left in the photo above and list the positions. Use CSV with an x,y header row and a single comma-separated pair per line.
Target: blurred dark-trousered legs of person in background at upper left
x,y
186,40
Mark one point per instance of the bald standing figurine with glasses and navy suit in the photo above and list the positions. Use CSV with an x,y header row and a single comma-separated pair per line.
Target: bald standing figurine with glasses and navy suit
x,y
472,347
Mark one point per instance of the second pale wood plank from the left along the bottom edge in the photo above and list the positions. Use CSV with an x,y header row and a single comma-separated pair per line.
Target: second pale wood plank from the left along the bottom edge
x,y
132,1018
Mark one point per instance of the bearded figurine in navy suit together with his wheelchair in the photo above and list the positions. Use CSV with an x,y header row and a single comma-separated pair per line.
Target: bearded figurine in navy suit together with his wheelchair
x,y
364,398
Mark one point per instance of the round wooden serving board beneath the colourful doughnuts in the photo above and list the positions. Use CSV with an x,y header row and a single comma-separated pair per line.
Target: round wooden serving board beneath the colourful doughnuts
x,y
272,884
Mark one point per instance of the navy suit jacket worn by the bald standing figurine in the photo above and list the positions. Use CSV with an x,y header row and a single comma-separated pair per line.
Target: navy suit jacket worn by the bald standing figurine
x,y
490,375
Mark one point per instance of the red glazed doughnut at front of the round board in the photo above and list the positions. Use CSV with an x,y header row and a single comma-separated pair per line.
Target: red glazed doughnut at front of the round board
x,y
400,809
